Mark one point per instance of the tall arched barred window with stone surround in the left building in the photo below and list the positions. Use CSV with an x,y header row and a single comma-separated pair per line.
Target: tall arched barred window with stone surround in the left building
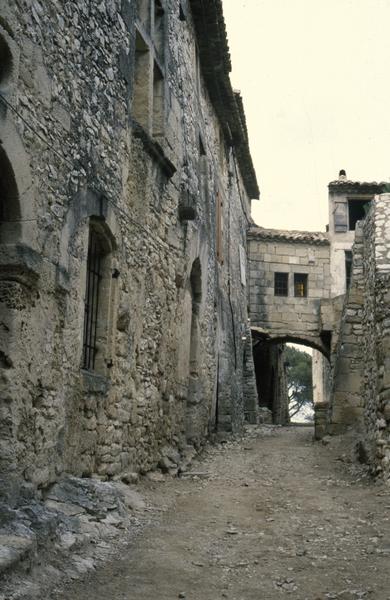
x,y
97,300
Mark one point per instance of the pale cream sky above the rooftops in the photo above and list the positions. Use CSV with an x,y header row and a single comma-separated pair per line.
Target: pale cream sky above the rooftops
x,y
314,76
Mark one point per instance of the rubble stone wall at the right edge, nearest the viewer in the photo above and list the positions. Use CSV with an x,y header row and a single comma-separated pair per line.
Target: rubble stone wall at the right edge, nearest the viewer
x,y
376,337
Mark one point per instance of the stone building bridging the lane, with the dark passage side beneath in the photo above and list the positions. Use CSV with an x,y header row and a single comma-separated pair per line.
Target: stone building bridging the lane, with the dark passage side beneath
x,y
289,302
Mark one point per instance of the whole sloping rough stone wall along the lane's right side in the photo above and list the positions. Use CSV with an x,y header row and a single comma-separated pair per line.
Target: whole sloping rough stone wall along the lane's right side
x,y
361,394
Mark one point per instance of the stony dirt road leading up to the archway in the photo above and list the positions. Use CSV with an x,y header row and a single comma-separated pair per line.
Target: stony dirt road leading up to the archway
x,y
269,517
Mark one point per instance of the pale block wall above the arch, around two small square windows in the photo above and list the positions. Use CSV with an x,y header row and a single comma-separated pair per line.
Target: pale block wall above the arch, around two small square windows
x,y
289,316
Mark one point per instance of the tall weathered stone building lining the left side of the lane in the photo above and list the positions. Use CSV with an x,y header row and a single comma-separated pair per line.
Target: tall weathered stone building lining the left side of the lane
x,y
125,188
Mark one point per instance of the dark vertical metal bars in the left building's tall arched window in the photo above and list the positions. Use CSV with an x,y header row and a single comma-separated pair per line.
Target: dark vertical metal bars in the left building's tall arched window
x,y
94,277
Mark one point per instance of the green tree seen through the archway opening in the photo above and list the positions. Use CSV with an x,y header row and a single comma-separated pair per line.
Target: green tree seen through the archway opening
x,y
299,379
